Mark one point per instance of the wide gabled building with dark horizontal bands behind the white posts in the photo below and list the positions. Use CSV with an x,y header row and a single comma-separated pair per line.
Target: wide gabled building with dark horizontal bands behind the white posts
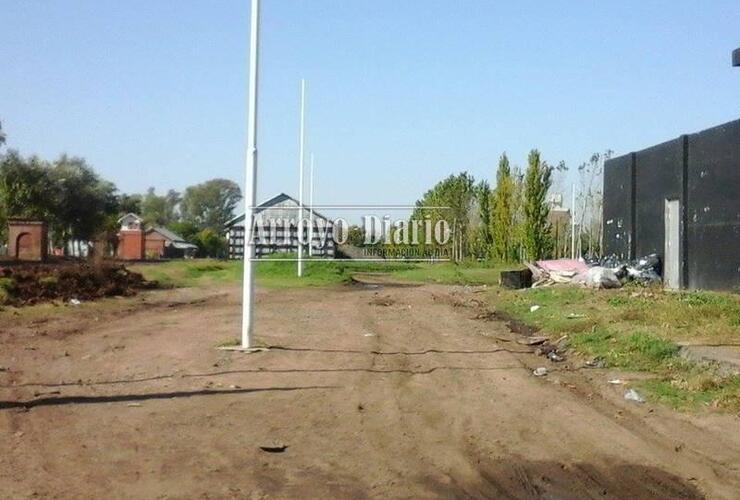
x,y
277,222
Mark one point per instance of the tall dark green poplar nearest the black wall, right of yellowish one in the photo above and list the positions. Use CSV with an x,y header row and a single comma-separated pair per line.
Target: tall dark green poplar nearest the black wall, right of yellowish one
x,y
536,229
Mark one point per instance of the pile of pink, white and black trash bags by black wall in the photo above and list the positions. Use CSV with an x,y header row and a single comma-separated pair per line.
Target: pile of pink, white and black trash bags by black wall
x,y
606,272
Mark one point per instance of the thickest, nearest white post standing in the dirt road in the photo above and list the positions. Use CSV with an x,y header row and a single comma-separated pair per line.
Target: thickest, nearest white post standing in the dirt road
x,y
250,188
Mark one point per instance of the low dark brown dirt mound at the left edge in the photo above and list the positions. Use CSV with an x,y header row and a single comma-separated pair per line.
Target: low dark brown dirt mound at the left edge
x,y
33,283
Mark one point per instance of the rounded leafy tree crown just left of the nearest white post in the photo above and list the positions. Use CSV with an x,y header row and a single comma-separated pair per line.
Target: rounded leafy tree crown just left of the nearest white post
x,y
211,204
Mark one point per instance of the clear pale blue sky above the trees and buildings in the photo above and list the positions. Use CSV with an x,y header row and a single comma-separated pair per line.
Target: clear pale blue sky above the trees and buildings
x,y
400,93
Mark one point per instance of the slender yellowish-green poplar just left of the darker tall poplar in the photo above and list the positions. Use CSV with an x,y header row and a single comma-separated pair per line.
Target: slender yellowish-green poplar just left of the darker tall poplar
x,y
502,220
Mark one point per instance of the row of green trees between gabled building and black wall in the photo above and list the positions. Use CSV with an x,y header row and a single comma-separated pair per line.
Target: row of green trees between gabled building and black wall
x,y
509,222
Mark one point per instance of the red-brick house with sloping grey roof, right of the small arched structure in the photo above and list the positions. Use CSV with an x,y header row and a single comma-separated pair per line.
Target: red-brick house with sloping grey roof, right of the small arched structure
x,y
135,242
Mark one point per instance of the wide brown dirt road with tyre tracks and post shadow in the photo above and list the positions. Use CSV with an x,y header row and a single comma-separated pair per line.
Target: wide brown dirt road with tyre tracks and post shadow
x,y
384,392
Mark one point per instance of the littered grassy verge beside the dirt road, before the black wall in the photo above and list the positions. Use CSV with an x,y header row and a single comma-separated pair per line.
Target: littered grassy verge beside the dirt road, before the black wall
x,y
639,329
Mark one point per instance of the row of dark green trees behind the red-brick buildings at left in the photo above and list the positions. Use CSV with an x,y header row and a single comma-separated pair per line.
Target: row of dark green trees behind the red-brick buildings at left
x,y
79,205
